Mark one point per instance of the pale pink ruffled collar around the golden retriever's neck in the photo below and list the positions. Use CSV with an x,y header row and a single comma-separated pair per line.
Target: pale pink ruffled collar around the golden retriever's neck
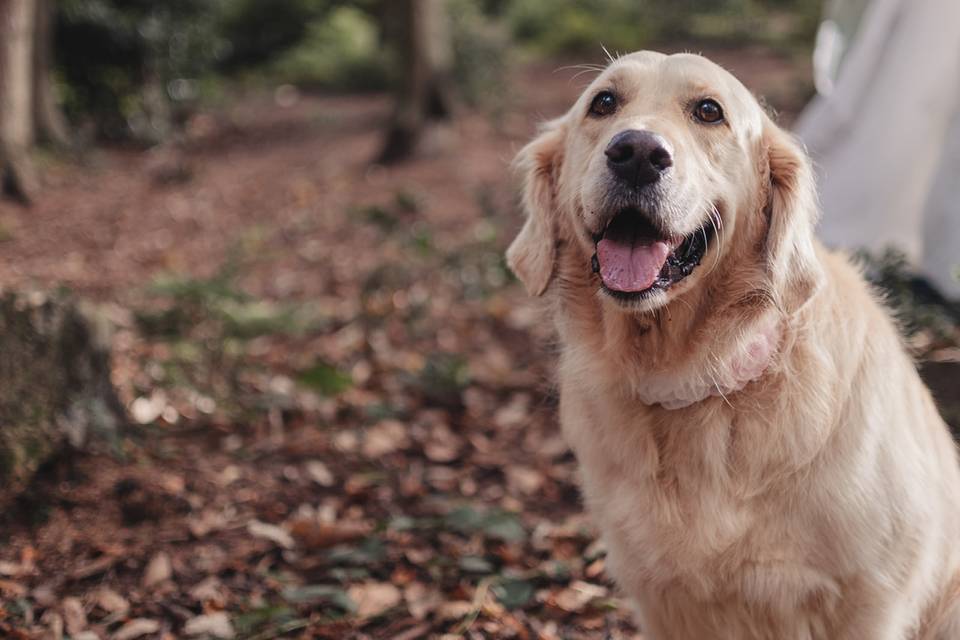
x,y
750,357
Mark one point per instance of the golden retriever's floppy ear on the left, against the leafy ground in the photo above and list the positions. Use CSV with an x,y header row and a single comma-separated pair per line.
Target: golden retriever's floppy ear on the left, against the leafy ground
x,y
532,254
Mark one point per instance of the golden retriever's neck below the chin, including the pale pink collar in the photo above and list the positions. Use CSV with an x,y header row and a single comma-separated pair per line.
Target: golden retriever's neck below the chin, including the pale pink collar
x,y
677,356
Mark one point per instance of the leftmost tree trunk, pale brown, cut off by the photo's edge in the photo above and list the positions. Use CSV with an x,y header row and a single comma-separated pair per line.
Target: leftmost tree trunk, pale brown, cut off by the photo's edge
x,y
16,104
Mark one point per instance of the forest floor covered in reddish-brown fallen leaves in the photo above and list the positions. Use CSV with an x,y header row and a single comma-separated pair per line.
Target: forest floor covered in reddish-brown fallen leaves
x,y
344,420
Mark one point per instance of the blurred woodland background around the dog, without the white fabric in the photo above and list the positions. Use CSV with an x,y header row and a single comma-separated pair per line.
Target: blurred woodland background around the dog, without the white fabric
x,y
263,371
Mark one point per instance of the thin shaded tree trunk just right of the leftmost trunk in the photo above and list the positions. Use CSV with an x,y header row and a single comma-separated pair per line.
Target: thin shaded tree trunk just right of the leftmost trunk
x,y
51,126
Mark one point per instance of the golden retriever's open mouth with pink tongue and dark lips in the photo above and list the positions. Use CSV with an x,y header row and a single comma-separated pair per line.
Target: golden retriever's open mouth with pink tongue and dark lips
x,y
634,258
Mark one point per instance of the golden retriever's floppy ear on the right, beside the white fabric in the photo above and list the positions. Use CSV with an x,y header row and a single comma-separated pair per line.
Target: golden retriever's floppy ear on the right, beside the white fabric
x,y
792,212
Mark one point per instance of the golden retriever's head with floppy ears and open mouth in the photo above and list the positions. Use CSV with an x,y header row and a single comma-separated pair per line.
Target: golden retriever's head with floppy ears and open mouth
x,y
666,175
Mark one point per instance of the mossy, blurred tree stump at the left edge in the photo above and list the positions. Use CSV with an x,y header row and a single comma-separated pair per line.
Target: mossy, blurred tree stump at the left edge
x,y
55,390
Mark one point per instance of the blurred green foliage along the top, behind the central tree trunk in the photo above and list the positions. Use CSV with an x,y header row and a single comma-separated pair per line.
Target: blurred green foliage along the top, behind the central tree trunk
x,y
136,68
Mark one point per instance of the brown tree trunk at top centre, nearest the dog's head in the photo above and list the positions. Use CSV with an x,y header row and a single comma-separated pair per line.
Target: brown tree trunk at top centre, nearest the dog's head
x,y
423,96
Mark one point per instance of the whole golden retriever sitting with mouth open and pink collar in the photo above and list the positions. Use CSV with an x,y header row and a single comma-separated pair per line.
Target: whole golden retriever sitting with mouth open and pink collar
x,y
755,444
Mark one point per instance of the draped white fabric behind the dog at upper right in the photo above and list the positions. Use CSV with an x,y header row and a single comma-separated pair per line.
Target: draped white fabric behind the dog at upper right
x,y
886,141
